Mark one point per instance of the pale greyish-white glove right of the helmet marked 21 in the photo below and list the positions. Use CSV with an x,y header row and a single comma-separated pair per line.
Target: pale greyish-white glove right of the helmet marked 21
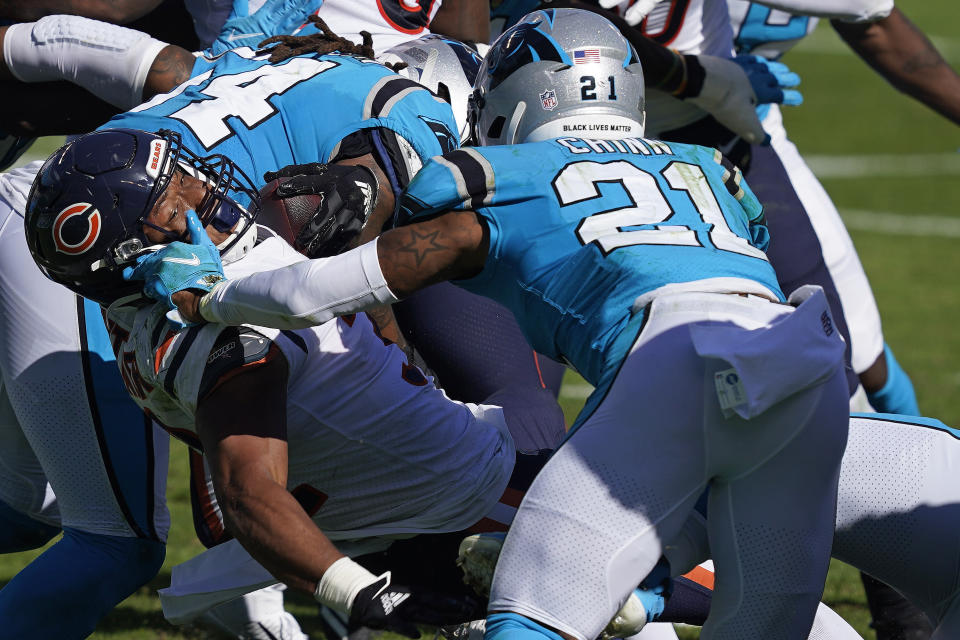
x,y
728,96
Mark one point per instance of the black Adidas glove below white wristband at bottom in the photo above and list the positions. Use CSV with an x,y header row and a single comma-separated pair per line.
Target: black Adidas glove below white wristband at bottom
x,y
383,605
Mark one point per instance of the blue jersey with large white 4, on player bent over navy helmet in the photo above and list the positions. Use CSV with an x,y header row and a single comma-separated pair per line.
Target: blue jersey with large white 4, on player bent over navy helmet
x,y
265,116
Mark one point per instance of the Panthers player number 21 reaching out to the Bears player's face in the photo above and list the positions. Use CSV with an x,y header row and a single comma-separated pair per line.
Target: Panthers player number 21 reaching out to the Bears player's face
x,y
614,289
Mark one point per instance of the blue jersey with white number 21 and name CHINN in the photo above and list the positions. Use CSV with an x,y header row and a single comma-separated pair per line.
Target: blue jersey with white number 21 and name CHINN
x,y
580,228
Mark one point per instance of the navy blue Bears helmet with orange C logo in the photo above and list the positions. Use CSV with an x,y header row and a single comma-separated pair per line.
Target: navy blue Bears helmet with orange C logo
x,y
86,211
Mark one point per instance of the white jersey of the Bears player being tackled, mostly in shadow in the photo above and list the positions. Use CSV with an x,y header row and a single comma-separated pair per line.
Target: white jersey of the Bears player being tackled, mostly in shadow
x,y
374,447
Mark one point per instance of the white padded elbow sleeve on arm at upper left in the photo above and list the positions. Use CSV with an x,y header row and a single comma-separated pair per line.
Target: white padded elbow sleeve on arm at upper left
x,y
110,61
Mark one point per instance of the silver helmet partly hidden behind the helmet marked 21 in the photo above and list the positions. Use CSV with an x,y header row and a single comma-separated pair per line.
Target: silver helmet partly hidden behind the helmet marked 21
x,y
446,66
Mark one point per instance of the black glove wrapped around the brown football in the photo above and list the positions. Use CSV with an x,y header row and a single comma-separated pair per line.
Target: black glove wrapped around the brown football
x,y
348,195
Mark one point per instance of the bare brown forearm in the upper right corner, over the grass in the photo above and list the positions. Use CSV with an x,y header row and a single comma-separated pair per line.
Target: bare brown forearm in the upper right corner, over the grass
x,y
902,54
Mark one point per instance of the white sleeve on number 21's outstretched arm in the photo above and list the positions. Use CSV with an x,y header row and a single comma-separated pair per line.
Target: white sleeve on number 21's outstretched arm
x,y
304,294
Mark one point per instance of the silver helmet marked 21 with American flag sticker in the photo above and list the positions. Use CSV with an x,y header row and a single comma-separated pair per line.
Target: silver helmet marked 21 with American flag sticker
x,y
558,72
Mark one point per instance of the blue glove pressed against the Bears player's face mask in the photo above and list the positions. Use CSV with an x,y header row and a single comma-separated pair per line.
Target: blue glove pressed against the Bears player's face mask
x,y
179,265
